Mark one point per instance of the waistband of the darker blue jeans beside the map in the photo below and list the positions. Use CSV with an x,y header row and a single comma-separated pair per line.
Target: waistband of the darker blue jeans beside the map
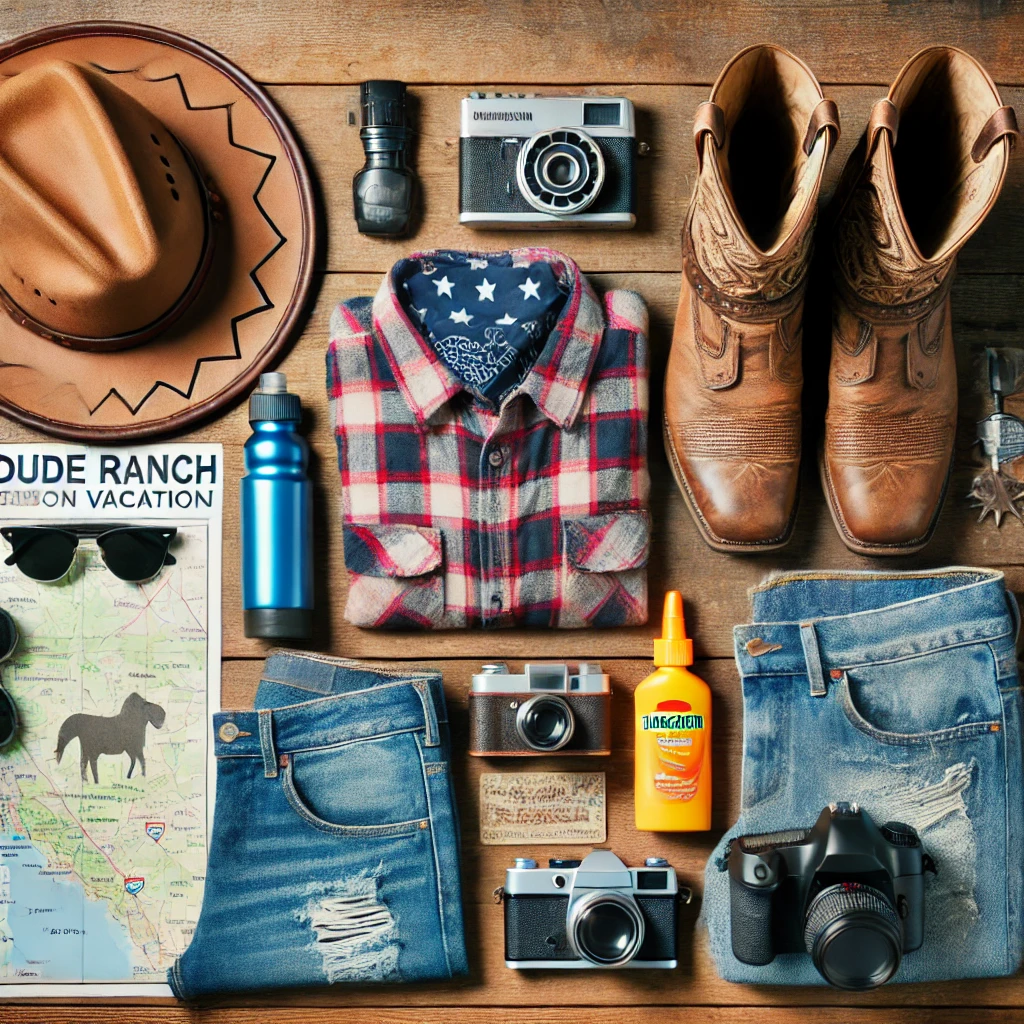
x,y
365,702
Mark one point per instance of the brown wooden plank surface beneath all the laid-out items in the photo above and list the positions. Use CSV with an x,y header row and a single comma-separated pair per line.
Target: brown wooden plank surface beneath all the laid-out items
x,y
664,56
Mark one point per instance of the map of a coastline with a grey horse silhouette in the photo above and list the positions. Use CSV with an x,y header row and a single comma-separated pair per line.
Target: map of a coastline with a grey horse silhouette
x,y
103,881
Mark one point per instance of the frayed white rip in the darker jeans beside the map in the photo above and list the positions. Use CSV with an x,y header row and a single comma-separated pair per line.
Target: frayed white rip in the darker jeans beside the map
x,y
355,932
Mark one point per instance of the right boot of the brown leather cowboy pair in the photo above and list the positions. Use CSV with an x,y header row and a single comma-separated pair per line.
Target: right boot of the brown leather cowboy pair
x,y
920,183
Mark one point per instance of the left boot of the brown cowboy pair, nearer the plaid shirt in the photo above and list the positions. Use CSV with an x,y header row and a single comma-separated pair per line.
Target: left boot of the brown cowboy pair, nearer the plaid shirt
x,y
733,390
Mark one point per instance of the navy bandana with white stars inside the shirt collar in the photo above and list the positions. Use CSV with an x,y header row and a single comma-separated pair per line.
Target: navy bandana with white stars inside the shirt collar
x,y
487,320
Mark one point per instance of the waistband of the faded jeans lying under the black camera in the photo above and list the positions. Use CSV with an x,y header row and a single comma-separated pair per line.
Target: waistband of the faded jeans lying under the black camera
x,y
884,617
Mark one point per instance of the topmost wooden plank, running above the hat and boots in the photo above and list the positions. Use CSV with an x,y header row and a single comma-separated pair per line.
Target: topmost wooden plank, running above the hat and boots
x,y
571,42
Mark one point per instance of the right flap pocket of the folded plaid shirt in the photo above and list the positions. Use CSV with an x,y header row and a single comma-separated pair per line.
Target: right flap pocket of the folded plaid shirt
x,y
605,569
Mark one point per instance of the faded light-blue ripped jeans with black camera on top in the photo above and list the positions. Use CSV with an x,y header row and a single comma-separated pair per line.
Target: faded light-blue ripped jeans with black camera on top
x,y
898,691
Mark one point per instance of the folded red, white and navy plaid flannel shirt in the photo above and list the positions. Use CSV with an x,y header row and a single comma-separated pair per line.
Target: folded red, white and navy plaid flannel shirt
x,y
458,514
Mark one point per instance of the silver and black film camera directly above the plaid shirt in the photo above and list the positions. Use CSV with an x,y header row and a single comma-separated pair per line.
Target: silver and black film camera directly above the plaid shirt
x,y
547,162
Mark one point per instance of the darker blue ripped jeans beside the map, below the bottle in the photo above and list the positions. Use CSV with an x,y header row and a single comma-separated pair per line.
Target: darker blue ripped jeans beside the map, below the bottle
x,y
335,848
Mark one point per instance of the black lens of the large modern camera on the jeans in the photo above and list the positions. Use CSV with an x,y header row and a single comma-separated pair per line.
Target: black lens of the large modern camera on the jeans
x,y
852,933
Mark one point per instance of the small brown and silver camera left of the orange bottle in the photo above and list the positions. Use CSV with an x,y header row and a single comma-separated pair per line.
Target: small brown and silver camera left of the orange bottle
x,y
546,710
